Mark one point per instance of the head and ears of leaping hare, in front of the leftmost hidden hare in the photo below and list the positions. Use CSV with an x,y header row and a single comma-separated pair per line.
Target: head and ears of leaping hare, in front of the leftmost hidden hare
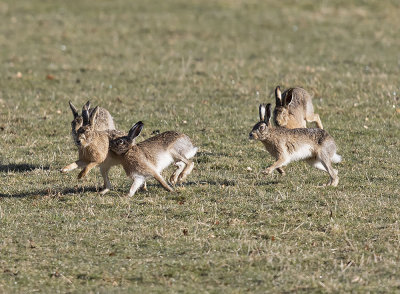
x,y
85,133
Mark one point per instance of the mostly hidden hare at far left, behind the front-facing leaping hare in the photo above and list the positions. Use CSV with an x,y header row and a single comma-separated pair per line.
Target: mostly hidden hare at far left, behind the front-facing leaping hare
x,y
104,120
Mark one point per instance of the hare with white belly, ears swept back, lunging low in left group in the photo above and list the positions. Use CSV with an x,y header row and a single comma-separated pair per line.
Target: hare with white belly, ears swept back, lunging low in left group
x,y
150,157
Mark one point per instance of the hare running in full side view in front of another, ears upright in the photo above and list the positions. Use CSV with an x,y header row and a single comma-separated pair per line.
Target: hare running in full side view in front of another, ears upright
x,y
315,146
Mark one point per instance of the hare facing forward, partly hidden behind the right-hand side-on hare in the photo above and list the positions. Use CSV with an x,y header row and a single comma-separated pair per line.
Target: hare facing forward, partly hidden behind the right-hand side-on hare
x,y
294,108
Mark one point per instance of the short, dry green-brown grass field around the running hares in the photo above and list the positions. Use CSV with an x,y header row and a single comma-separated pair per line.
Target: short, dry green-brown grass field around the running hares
x,y
199,67
